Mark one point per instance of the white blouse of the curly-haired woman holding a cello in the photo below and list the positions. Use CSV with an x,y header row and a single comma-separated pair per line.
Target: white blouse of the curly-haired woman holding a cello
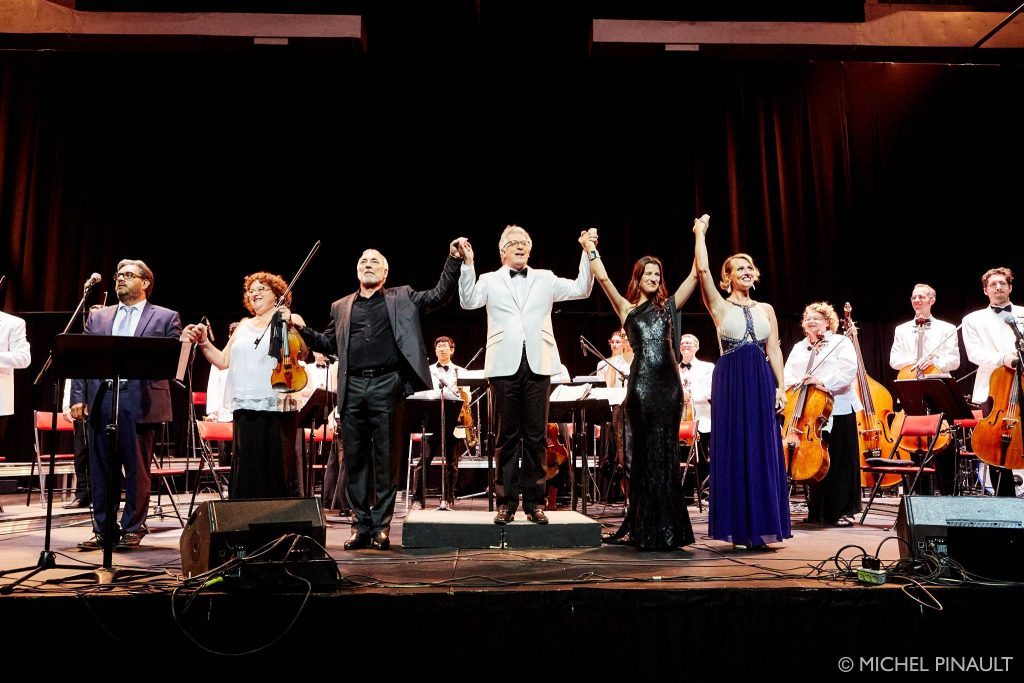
x,y
835,365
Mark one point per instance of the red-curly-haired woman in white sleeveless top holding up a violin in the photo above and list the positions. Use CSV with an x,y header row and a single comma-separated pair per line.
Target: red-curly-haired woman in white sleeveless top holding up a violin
x,y
264,449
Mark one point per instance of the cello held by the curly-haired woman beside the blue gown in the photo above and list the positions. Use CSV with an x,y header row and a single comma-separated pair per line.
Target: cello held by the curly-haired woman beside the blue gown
x,y
807,411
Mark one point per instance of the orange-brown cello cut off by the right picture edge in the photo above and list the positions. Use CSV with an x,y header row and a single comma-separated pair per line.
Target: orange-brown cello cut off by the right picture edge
x,y
997,440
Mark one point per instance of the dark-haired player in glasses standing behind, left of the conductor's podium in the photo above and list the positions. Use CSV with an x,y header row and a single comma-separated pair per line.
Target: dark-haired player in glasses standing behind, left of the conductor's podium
x,y
445,376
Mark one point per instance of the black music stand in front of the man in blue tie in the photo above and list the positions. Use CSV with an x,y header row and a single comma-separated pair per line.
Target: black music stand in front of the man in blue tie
x,y
101,357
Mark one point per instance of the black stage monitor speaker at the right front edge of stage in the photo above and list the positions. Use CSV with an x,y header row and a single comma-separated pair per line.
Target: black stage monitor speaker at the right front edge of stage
x,y
985,535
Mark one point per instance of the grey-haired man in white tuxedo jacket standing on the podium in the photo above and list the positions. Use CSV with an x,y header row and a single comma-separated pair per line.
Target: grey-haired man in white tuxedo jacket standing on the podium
x,y
522,357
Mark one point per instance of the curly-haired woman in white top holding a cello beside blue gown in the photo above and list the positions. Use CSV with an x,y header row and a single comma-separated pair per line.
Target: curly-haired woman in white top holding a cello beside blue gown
x,y
829,362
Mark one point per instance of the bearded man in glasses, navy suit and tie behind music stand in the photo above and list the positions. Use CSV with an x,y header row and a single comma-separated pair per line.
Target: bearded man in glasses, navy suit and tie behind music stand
x,y
145,405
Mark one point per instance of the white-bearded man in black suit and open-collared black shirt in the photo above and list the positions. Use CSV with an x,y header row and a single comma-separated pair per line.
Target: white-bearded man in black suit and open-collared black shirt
x,y
382,358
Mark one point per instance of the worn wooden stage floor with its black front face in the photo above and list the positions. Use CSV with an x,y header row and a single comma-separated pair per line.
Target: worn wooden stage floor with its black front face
x,y
519,615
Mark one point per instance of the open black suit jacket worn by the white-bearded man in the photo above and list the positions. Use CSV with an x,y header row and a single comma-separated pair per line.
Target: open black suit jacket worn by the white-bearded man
x,y
404,307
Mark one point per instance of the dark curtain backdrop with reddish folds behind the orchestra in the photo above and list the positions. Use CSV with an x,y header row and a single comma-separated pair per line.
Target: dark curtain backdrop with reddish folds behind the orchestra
x,y
847,182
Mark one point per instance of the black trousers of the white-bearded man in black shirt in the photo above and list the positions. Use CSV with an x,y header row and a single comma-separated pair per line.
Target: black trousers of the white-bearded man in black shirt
x,y
370,424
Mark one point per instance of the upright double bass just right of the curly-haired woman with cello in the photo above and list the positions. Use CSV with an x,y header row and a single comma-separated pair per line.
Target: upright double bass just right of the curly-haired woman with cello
x,y
875,435
